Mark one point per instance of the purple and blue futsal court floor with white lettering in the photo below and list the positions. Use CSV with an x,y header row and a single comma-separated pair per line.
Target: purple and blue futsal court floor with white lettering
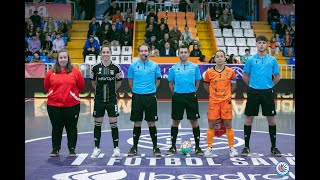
x,y
260,164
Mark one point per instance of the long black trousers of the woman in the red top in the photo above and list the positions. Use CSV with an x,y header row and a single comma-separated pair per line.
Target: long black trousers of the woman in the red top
x,y
61,117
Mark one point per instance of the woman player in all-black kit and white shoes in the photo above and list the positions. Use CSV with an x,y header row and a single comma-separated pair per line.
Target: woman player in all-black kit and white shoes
x,y
105,79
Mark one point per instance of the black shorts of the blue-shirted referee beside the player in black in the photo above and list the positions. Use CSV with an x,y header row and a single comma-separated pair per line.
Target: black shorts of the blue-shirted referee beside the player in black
x,y
146,103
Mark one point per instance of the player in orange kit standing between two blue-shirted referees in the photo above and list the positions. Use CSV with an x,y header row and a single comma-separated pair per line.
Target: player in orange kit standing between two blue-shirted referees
x,y
220,81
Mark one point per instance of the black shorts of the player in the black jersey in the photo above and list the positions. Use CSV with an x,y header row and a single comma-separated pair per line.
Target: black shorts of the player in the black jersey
x,y
100,108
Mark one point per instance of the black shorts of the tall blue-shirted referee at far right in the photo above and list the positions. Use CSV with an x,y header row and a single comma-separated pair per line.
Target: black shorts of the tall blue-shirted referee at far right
x,y
257,97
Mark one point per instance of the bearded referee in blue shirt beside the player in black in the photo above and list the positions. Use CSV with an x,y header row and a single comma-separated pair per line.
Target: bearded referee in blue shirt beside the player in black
x,y
144,78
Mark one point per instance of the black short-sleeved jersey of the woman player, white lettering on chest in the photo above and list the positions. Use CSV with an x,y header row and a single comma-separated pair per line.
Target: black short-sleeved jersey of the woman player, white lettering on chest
x,y
105,77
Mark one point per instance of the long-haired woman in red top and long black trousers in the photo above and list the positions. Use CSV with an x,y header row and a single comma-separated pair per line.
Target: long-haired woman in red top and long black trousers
x,y
63,83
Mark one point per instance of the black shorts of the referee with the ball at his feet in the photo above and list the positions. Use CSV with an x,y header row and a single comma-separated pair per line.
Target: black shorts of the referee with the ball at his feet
x,y
183,101
